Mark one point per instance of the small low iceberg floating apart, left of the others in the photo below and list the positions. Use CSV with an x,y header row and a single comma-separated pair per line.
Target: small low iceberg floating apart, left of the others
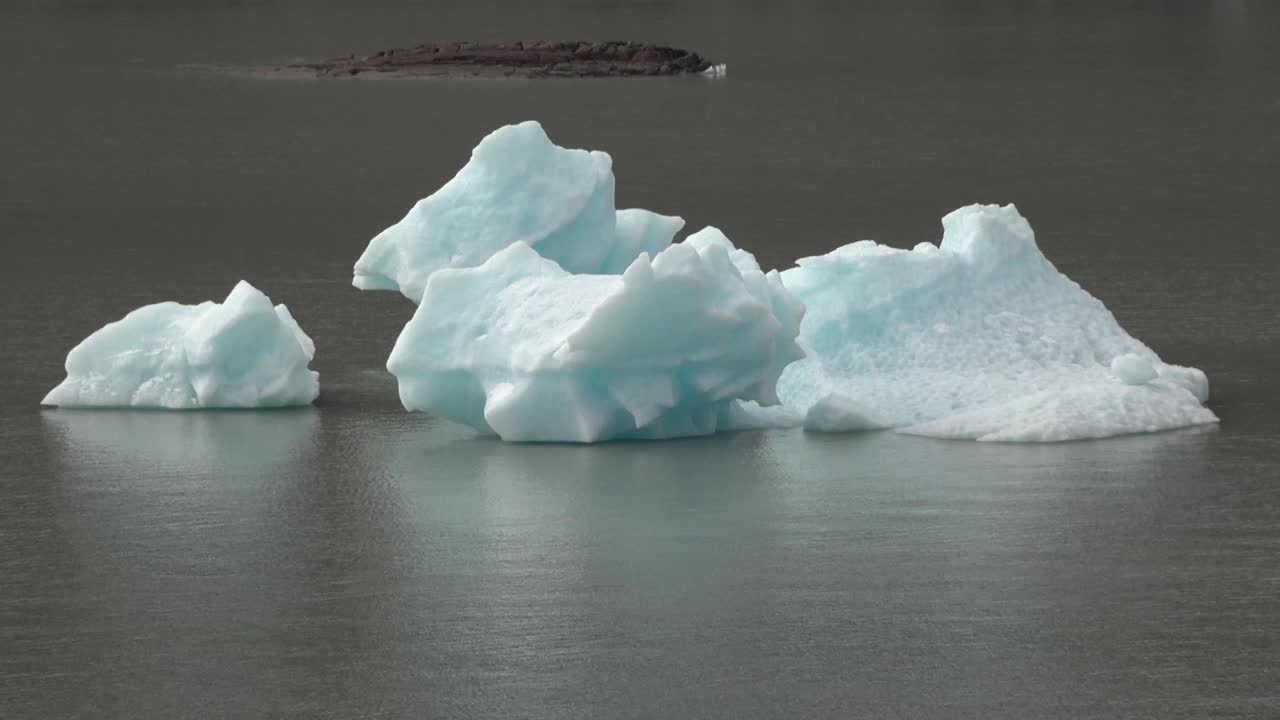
x,y
243,353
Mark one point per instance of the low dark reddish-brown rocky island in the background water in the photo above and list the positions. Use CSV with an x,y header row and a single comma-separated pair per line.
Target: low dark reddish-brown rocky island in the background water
x,y
518,60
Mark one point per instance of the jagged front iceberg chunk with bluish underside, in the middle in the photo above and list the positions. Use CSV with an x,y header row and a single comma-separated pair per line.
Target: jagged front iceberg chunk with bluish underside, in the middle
x,y
527,350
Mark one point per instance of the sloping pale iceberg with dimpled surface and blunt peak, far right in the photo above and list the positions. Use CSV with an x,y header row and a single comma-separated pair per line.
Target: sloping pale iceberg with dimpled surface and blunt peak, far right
x,y
979,338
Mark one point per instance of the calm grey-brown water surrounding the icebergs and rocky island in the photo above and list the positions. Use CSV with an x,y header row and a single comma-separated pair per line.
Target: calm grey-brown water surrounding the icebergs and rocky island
x,y
355,562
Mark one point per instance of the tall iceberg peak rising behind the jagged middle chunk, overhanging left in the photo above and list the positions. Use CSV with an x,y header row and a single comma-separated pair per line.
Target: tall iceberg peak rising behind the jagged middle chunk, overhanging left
x,y
518,188
